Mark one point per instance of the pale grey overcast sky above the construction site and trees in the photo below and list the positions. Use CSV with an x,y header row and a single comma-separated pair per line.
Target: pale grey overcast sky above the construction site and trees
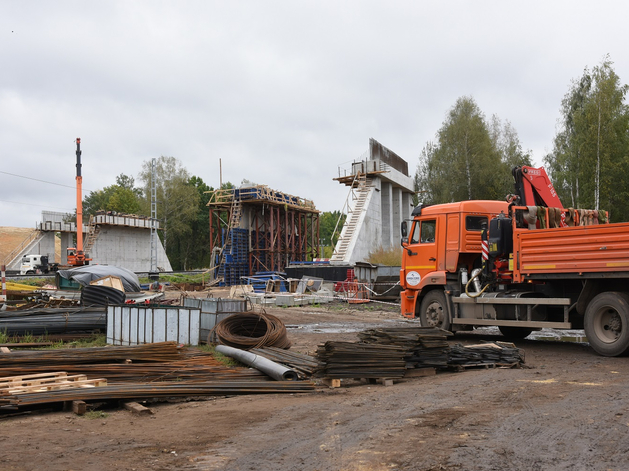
x,y
284,92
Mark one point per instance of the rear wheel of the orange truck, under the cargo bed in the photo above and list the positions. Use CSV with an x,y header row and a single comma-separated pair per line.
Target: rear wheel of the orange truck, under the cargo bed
x,y
606,324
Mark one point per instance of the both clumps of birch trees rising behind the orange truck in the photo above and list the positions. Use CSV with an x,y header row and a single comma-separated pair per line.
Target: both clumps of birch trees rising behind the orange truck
x,y
472,157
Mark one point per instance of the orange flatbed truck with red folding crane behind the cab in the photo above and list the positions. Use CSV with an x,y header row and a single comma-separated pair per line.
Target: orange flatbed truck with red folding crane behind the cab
x,y
520,265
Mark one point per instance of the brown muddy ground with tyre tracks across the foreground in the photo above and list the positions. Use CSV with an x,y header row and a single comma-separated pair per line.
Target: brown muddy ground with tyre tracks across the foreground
x,y
569,409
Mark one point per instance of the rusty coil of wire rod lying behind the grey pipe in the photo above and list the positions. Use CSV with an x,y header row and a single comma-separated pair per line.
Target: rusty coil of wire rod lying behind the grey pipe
x,y
247,330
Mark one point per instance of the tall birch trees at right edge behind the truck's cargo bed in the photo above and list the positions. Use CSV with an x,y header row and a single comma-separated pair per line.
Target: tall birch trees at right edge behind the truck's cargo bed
x,y
590,159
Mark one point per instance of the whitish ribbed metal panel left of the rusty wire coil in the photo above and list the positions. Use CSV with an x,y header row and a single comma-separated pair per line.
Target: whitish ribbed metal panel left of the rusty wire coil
x,y
131,325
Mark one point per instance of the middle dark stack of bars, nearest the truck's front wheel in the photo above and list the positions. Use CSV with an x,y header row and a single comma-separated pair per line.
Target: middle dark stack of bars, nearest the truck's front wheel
x,y
424,346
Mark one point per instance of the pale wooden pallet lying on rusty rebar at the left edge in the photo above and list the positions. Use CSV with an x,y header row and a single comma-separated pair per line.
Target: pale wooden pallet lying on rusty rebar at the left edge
x,y
42,382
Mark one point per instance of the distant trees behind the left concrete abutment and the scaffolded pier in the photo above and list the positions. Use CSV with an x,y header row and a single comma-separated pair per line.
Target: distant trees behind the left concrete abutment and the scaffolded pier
x,y
181,210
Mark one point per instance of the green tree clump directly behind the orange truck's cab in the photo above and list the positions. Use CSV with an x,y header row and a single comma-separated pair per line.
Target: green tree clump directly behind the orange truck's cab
x,y
468,160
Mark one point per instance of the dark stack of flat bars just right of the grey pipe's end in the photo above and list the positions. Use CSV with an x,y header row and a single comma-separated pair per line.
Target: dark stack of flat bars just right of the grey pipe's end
x,y
359,360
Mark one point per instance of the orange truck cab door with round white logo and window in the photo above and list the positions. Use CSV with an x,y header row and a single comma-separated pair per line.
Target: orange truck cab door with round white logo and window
x,y
422,253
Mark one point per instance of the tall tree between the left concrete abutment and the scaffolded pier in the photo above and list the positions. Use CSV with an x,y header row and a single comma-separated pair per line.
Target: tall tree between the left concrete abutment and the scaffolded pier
x,y
177,206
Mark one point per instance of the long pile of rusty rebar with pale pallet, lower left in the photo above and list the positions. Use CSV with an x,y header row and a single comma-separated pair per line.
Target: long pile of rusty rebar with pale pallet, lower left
x,y
140,372
